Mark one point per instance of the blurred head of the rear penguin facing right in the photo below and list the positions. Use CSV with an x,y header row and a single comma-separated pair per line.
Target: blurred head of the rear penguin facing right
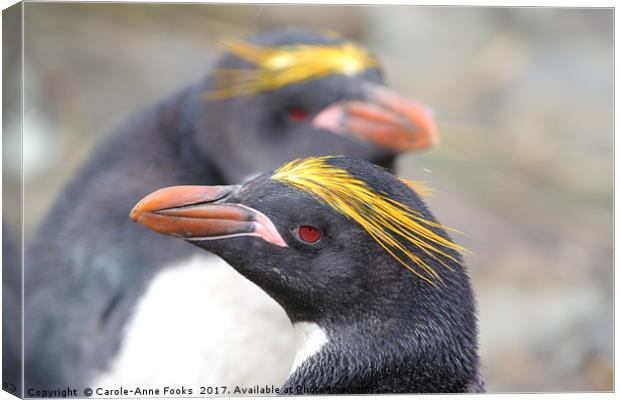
x,y
295,93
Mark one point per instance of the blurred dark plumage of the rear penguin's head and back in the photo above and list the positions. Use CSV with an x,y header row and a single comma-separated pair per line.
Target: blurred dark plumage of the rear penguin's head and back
x,y
87,266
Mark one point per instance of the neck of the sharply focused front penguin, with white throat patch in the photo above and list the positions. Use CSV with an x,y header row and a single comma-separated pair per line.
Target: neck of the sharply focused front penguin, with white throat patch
x,y
381,354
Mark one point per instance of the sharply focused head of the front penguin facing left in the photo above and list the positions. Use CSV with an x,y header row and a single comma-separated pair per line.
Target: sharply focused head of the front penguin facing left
x,y
326,237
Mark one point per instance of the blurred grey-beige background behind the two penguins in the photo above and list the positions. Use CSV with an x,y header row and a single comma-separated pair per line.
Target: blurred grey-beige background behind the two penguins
x,y
524,102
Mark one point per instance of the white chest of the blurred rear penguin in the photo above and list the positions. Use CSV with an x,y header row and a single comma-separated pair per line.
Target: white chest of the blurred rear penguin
x,y
201,323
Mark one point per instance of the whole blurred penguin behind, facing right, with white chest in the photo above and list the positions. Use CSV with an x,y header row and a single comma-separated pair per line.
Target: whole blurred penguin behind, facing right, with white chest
x,y
88,268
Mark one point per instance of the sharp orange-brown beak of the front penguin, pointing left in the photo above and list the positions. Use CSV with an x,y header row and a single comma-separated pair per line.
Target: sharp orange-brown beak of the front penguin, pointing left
x,y
198,213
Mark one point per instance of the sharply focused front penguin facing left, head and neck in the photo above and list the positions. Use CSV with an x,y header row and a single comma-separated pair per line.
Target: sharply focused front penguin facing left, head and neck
x,y
377,311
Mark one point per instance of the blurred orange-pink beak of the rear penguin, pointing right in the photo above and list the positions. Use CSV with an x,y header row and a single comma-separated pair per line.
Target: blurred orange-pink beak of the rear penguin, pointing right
x,y
384,118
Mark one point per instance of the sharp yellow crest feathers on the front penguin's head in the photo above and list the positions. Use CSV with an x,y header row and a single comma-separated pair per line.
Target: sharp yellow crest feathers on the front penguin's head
x,y
390,223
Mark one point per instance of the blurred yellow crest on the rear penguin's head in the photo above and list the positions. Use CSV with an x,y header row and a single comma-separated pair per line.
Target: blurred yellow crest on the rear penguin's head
x,y
284,65
